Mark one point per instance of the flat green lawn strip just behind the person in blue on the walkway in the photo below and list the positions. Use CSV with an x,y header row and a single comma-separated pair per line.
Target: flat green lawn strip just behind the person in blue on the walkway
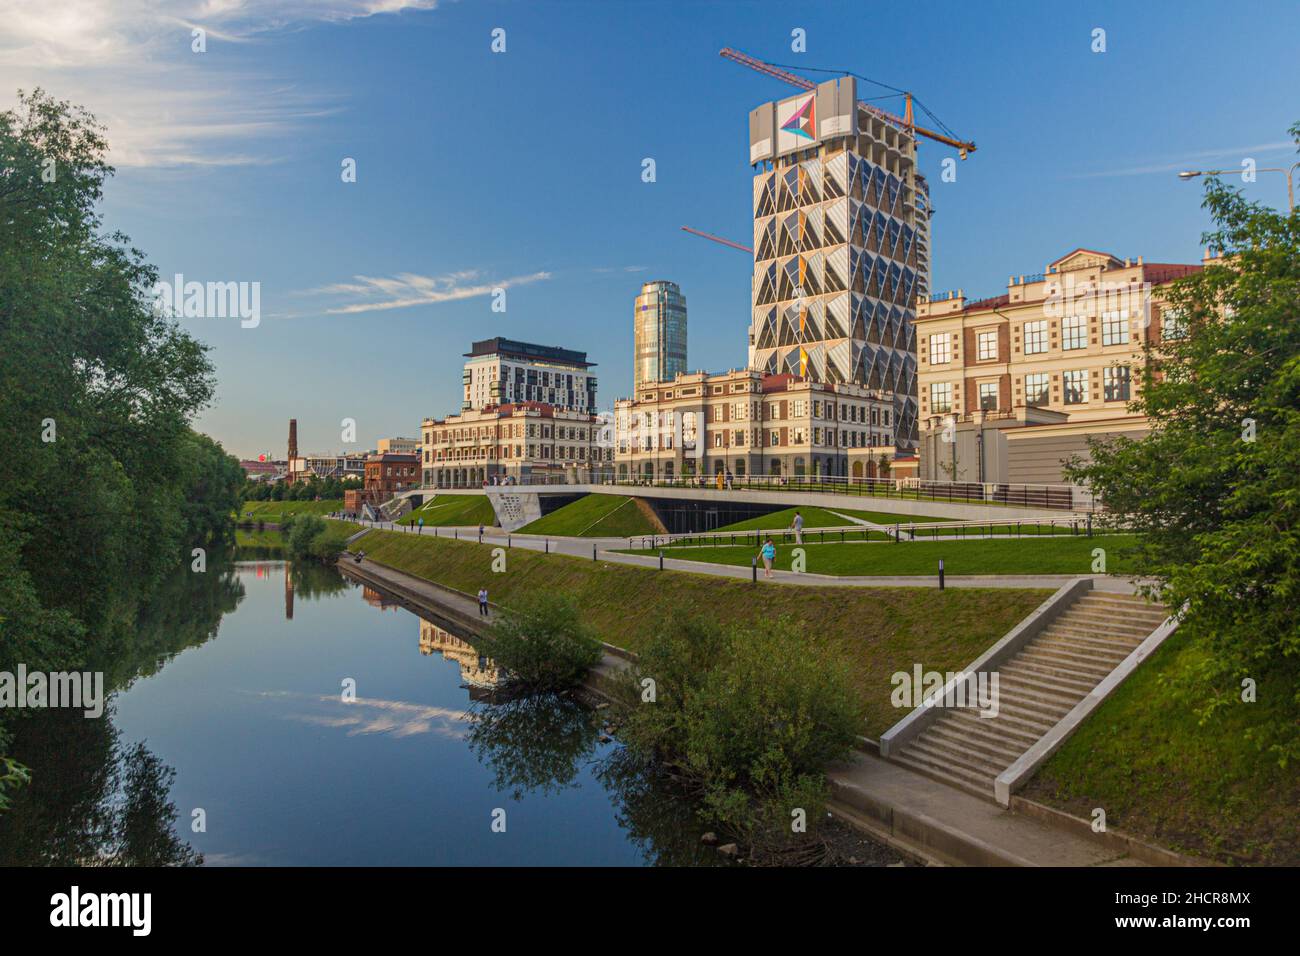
x,y
973,557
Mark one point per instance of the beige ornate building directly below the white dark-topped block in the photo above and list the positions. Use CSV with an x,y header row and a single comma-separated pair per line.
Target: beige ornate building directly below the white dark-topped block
x,y
521,442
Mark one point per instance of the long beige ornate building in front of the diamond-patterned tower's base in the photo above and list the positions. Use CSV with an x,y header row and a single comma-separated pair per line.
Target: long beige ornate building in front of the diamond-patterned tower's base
x,y
748,423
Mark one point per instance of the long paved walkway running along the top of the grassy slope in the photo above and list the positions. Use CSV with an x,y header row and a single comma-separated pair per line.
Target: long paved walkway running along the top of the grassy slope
x,y
583,548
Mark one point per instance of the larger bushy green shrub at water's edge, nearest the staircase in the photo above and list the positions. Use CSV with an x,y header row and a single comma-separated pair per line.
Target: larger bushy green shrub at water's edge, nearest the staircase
x,y
749,717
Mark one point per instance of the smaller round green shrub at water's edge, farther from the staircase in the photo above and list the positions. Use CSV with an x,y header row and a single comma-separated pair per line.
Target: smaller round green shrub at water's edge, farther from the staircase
x,y
543,644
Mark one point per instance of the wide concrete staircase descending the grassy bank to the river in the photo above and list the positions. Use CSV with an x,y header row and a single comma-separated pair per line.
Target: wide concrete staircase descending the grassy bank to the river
x,y
1039,686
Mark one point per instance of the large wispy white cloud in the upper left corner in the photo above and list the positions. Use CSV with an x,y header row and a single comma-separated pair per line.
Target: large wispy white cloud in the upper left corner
x,y
132,64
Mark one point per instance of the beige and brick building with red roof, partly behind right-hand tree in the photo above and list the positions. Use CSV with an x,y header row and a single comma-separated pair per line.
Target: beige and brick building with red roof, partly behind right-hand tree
x,y
1012,387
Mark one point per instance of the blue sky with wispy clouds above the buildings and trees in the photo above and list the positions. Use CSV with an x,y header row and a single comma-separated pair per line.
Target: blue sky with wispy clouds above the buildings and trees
x,y
480,170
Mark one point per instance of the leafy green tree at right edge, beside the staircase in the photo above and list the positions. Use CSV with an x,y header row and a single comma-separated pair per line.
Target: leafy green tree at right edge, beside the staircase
x,y
1215,487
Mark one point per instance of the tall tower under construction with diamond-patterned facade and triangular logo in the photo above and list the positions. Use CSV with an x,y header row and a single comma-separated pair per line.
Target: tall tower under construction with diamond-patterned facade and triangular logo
x,y
842,245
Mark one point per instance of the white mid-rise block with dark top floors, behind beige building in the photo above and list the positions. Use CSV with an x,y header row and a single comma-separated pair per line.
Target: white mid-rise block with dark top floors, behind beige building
x,y
501,371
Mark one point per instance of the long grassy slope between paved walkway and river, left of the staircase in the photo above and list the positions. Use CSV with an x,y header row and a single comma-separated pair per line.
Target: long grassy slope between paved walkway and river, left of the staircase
x,y
881,630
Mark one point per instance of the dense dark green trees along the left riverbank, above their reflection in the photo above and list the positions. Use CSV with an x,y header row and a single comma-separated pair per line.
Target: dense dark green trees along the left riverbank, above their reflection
x,y
105,486
